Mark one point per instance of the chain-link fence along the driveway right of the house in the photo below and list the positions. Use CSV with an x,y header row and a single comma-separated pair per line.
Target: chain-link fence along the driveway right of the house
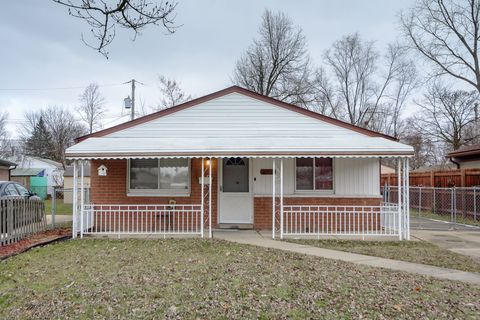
x,y
456,206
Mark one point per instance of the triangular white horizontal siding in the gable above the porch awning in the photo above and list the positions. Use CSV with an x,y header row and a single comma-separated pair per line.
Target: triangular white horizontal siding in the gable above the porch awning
x,y
235,115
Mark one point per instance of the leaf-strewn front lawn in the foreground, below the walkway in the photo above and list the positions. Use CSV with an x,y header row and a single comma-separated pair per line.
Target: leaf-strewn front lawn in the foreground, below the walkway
x,y
193,278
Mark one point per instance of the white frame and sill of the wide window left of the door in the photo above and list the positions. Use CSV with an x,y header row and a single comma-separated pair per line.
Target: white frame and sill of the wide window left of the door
x,y
159,192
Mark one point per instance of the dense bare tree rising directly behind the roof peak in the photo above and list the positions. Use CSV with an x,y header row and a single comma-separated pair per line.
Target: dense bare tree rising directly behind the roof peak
x,y
277,64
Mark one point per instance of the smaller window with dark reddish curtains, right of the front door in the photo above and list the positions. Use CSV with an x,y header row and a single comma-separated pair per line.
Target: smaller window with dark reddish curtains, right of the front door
x,y
314,174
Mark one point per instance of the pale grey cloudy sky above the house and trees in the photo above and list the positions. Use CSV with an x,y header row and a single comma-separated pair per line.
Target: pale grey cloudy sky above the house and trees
x,y
44,62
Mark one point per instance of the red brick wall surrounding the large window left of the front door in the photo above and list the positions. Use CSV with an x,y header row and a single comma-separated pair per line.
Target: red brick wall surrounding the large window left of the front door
x,y
112,189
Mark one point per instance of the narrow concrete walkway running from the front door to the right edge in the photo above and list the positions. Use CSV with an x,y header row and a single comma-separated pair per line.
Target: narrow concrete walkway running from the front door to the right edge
x,y
264,240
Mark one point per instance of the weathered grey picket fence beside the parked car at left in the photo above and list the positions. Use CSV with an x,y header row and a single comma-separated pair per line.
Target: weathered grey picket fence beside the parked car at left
x,y
20,218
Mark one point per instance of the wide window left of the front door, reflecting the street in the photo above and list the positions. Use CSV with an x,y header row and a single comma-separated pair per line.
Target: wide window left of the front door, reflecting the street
x,y
159,176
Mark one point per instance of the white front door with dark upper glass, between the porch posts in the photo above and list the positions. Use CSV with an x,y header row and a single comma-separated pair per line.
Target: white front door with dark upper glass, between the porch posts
x,y
235,195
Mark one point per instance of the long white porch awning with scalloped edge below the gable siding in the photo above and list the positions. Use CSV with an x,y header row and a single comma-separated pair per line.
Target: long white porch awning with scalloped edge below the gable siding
x,y
319,146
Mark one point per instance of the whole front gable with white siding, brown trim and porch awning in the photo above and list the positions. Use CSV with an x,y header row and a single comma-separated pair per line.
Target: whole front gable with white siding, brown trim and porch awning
x,y
235,122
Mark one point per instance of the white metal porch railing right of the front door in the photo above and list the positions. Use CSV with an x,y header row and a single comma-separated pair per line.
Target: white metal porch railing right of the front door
x,y
306,220
